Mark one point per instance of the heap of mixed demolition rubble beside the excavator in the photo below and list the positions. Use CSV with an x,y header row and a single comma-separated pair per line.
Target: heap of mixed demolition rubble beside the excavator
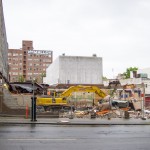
x,y
105,110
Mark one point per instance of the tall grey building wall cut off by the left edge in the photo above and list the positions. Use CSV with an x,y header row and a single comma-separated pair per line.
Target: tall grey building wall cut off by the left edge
x,y
3,45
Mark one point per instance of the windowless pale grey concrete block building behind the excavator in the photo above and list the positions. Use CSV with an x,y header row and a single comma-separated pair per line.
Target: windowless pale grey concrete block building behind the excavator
x,y
75,70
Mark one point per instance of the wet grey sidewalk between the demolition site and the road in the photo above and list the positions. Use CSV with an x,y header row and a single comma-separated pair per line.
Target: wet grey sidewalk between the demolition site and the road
x,y
75,121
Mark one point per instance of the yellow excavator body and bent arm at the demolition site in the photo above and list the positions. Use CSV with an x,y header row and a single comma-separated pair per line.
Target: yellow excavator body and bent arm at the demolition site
x,y
62,99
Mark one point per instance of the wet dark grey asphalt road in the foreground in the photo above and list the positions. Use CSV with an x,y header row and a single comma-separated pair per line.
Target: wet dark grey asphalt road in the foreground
x,y
48,137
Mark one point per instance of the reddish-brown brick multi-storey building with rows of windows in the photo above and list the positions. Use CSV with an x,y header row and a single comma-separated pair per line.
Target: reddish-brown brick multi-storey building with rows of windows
x,y
26,63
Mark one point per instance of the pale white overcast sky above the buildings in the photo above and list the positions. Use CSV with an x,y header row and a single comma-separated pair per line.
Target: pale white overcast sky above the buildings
x,y
116,30
